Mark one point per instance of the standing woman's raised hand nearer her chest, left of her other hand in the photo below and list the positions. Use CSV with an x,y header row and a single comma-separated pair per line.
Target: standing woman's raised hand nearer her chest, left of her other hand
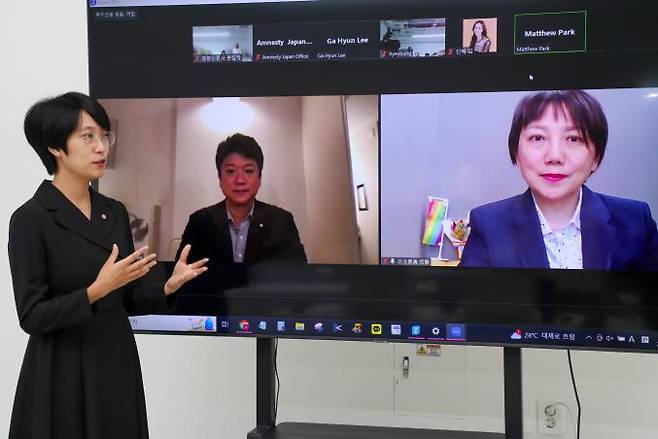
x,y
114,275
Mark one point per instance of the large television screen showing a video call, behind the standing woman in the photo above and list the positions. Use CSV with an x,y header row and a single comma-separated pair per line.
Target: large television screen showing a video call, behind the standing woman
x,y
477,172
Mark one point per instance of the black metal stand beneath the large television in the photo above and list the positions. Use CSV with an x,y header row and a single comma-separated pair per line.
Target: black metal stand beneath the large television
x,y
266,428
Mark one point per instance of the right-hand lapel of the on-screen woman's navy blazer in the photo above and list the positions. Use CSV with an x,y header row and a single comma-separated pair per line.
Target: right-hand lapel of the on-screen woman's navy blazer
x,y
596,232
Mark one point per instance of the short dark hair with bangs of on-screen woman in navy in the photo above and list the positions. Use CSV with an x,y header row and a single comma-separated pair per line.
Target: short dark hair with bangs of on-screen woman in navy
x,y
584,109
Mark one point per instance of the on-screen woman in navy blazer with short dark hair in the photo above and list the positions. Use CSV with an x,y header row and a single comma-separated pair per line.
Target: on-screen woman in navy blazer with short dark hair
x,y
558,140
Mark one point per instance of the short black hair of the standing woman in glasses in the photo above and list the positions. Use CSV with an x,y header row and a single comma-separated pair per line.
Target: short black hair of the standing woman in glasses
x,y
51,121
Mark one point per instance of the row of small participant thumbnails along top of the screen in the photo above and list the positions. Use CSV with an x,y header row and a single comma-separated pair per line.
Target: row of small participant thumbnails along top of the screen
x,y
386,39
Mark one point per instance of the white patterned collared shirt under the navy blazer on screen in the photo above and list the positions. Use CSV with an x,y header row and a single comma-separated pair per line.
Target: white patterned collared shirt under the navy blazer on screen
x,y
564,247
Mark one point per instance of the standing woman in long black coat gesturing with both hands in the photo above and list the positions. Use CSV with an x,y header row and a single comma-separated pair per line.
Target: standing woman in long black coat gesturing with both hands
x,y
76,278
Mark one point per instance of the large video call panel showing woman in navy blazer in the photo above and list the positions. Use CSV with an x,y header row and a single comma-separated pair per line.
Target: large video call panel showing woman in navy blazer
x,y
447,172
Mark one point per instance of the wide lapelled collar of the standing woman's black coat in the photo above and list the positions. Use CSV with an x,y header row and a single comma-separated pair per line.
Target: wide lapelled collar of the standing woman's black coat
x,y
98,230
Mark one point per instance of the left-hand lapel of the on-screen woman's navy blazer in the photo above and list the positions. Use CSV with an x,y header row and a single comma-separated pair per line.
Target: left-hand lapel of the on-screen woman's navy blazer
x,y
528,238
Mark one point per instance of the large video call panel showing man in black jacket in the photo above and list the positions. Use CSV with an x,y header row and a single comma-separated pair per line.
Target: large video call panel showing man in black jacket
x,y
317,198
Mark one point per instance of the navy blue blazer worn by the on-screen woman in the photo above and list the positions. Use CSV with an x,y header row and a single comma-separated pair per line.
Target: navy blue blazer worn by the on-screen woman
x,y
617,234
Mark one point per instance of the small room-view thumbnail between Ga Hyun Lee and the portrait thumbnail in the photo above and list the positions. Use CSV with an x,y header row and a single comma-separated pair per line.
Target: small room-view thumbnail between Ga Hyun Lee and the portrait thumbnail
x,y
419,37
